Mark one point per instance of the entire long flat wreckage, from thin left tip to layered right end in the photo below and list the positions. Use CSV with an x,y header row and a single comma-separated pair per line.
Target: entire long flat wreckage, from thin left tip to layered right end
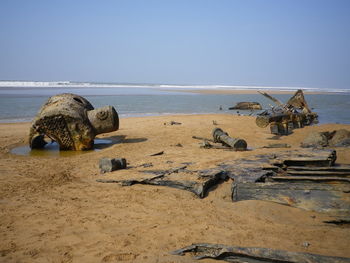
x,y
305,178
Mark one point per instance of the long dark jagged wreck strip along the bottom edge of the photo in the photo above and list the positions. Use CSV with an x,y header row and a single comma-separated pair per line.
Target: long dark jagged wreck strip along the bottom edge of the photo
x,y
253,254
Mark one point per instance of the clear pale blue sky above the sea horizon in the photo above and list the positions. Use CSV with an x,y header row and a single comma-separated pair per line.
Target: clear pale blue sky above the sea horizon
x,y
272,43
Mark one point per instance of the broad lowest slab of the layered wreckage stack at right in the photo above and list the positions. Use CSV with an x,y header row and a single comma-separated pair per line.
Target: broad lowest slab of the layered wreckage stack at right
x,y
327,198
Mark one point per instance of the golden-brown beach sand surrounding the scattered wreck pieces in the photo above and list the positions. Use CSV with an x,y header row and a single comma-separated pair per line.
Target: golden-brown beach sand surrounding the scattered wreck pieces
x,y
53,210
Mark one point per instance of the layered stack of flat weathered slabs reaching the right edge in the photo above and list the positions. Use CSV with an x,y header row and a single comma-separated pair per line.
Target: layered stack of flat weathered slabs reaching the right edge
x,y
308,180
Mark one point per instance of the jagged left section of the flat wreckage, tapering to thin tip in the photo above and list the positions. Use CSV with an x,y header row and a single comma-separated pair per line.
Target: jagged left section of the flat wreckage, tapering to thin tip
x,y
199,185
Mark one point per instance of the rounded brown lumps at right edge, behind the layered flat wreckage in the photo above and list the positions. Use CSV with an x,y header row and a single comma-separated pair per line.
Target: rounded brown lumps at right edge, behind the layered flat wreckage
x,y
337,138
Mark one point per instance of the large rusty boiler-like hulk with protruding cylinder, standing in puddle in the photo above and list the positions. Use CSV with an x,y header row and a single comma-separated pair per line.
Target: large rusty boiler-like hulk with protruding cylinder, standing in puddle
x,y
72,122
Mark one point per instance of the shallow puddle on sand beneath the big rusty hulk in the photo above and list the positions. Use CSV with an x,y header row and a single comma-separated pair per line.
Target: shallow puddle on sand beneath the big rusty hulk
x,y
52,149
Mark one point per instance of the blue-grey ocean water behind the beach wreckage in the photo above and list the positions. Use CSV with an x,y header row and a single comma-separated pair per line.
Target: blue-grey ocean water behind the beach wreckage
x,y
22,103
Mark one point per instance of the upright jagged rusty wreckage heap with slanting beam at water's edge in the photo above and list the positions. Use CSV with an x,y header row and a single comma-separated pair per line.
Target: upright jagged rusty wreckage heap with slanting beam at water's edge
x,y
283,118
